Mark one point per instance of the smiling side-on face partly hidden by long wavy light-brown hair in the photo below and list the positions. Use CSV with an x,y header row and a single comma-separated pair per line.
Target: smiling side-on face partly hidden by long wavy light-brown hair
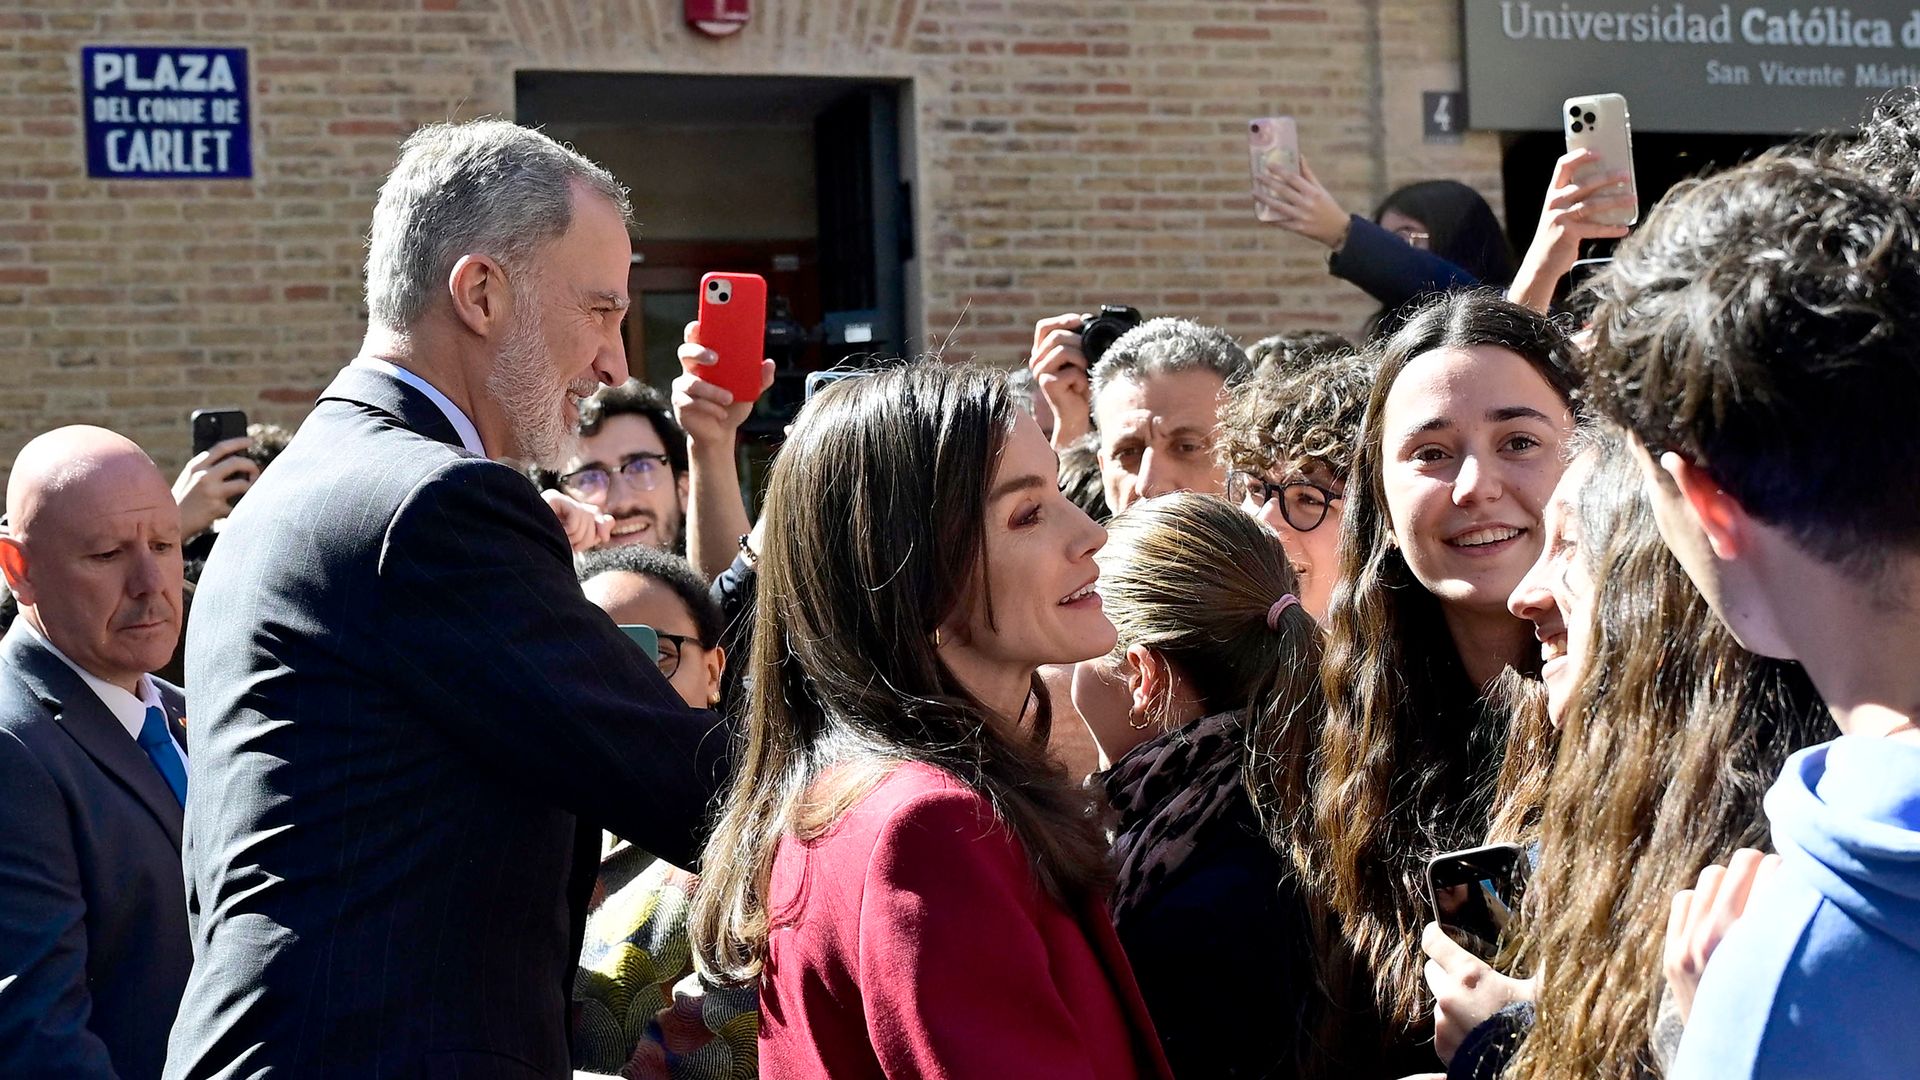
x,y
1558,593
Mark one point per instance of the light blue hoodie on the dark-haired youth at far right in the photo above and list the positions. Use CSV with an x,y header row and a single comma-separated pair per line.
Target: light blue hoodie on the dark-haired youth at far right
x,y
1821,977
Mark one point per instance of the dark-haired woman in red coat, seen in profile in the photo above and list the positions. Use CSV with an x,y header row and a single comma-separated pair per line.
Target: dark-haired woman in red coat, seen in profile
x,y
911,879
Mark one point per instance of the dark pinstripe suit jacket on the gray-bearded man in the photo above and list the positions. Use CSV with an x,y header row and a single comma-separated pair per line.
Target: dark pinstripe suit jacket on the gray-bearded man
x,y
402,702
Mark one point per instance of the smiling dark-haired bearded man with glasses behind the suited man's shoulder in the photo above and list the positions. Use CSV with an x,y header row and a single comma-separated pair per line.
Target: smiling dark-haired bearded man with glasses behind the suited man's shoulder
x,y
633,466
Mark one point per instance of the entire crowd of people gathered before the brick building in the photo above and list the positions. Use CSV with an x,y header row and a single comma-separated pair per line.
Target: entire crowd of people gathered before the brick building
x,y
1093,720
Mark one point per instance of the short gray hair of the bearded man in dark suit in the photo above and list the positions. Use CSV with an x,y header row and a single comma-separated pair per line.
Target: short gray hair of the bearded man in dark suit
x,y
460,189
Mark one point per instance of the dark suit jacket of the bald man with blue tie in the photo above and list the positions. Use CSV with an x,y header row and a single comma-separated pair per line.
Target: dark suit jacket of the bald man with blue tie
x,y
93,914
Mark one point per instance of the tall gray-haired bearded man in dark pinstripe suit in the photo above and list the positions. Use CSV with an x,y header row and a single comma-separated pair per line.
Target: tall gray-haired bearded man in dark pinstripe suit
x,y
404,706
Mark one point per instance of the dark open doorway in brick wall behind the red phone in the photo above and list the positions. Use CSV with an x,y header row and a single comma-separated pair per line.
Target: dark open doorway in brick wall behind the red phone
x,y
802,180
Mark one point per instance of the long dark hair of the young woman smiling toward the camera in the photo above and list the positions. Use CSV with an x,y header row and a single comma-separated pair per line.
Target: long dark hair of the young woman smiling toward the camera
x,y
1410,752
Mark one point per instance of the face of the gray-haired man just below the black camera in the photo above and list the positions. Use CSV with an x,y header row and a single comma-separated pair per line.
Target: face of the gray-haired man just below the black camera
x,y
1157,435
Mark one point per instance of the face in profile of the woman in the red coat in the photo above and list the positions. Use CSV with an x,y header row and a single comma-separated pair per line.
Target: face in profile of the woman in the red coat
x,y
1040,577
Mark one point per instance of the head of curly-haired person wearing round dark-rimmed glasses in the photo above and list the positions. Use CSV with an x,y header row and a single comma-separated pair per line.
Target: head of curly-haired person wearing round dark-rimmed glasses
x,y
1289,443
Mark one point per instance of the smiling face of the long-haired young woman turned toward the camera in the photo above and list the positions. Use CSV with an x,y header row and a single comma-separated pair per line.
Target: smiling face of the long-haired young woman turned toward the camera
x,y
1472,443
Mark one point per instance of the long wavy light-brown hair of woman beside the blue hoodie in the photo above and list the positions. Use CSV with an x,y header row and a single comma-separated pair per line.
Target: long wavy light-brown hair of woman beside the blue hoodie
x,y
1662,766
